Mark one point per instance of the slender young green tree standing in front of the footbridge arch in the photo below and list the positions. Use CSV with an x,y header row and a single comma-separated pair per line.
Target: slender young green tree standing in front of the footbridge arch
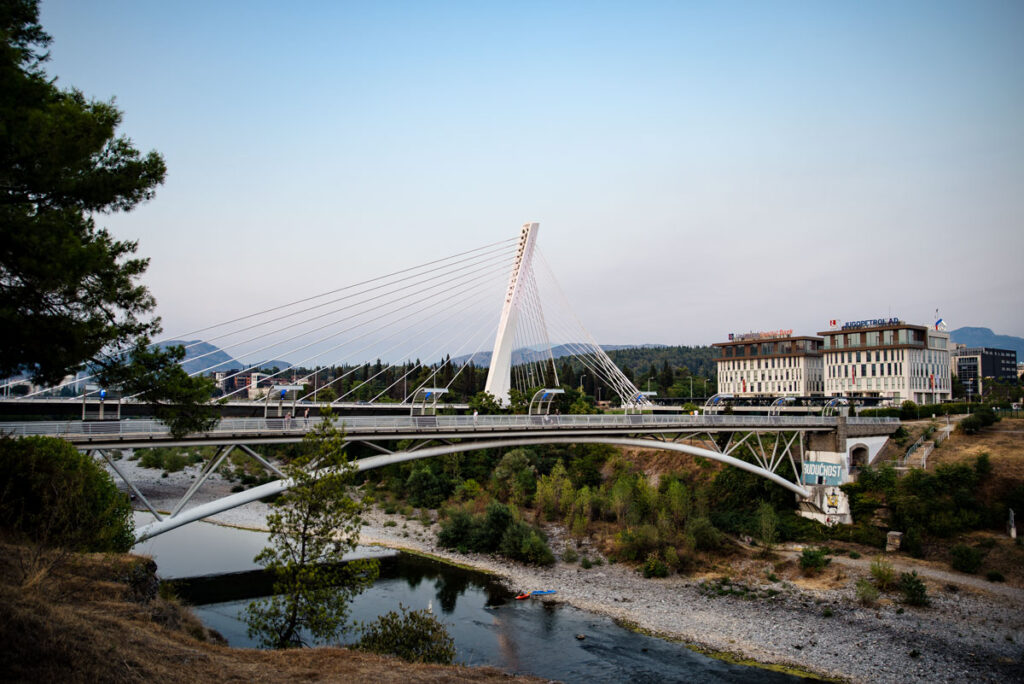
x,y
316,523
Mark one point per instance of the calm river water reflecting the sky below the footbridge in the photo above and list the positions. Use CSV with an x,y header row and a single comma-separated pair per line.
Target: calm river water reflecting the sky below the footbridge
x,y
488,625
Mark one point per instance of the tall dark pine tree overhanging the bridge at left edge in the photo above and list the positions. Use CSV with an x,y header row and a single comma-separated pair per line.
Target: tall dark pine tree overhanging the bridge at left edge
x,y
69,292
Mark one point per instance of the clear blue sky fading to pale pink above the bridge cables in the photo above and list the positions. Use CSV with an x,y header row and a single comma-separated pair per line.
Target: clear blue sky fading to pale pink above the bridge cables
x,y
697,168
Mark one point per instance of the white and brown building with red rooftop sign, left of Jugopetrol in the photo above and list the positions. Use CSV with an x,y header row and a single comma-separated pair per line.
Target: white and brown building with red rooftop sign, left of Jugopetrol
x,y
772,364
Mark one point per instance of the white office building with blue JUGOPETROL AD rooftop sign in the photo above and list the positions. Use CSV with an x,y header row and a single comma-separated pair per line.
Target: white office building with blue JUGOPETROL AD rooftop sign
x,y
888,359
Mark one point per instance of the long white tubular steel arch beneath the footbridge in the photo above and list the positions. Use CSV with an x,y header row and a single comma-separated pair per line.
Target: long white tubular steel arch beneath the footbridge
x,y
370,463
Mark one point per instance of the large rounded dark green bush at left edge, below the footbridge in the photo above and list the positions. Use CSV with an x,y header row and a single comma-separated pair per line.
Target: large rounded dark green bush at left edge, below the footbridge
x,y
53,495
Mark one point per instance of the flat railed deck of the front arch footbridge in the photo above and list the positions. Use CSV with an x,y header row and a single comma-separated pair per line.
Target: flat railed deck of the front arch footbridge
x,y
140,434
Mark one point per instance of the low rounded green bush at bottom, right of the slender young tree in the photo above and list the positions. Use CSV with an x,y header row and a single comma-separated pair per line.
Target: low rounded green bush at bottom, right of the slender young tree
x,y
416,636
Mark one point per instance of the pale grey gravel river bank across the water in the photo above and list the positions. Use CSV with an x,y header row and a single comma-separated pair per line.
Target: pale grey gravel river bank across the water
x,y
970,632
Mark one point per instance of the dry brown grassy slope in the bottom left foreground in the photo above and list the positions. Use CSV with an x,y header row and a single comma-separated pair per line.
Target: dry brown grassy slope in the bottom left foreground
x,y
84,623
